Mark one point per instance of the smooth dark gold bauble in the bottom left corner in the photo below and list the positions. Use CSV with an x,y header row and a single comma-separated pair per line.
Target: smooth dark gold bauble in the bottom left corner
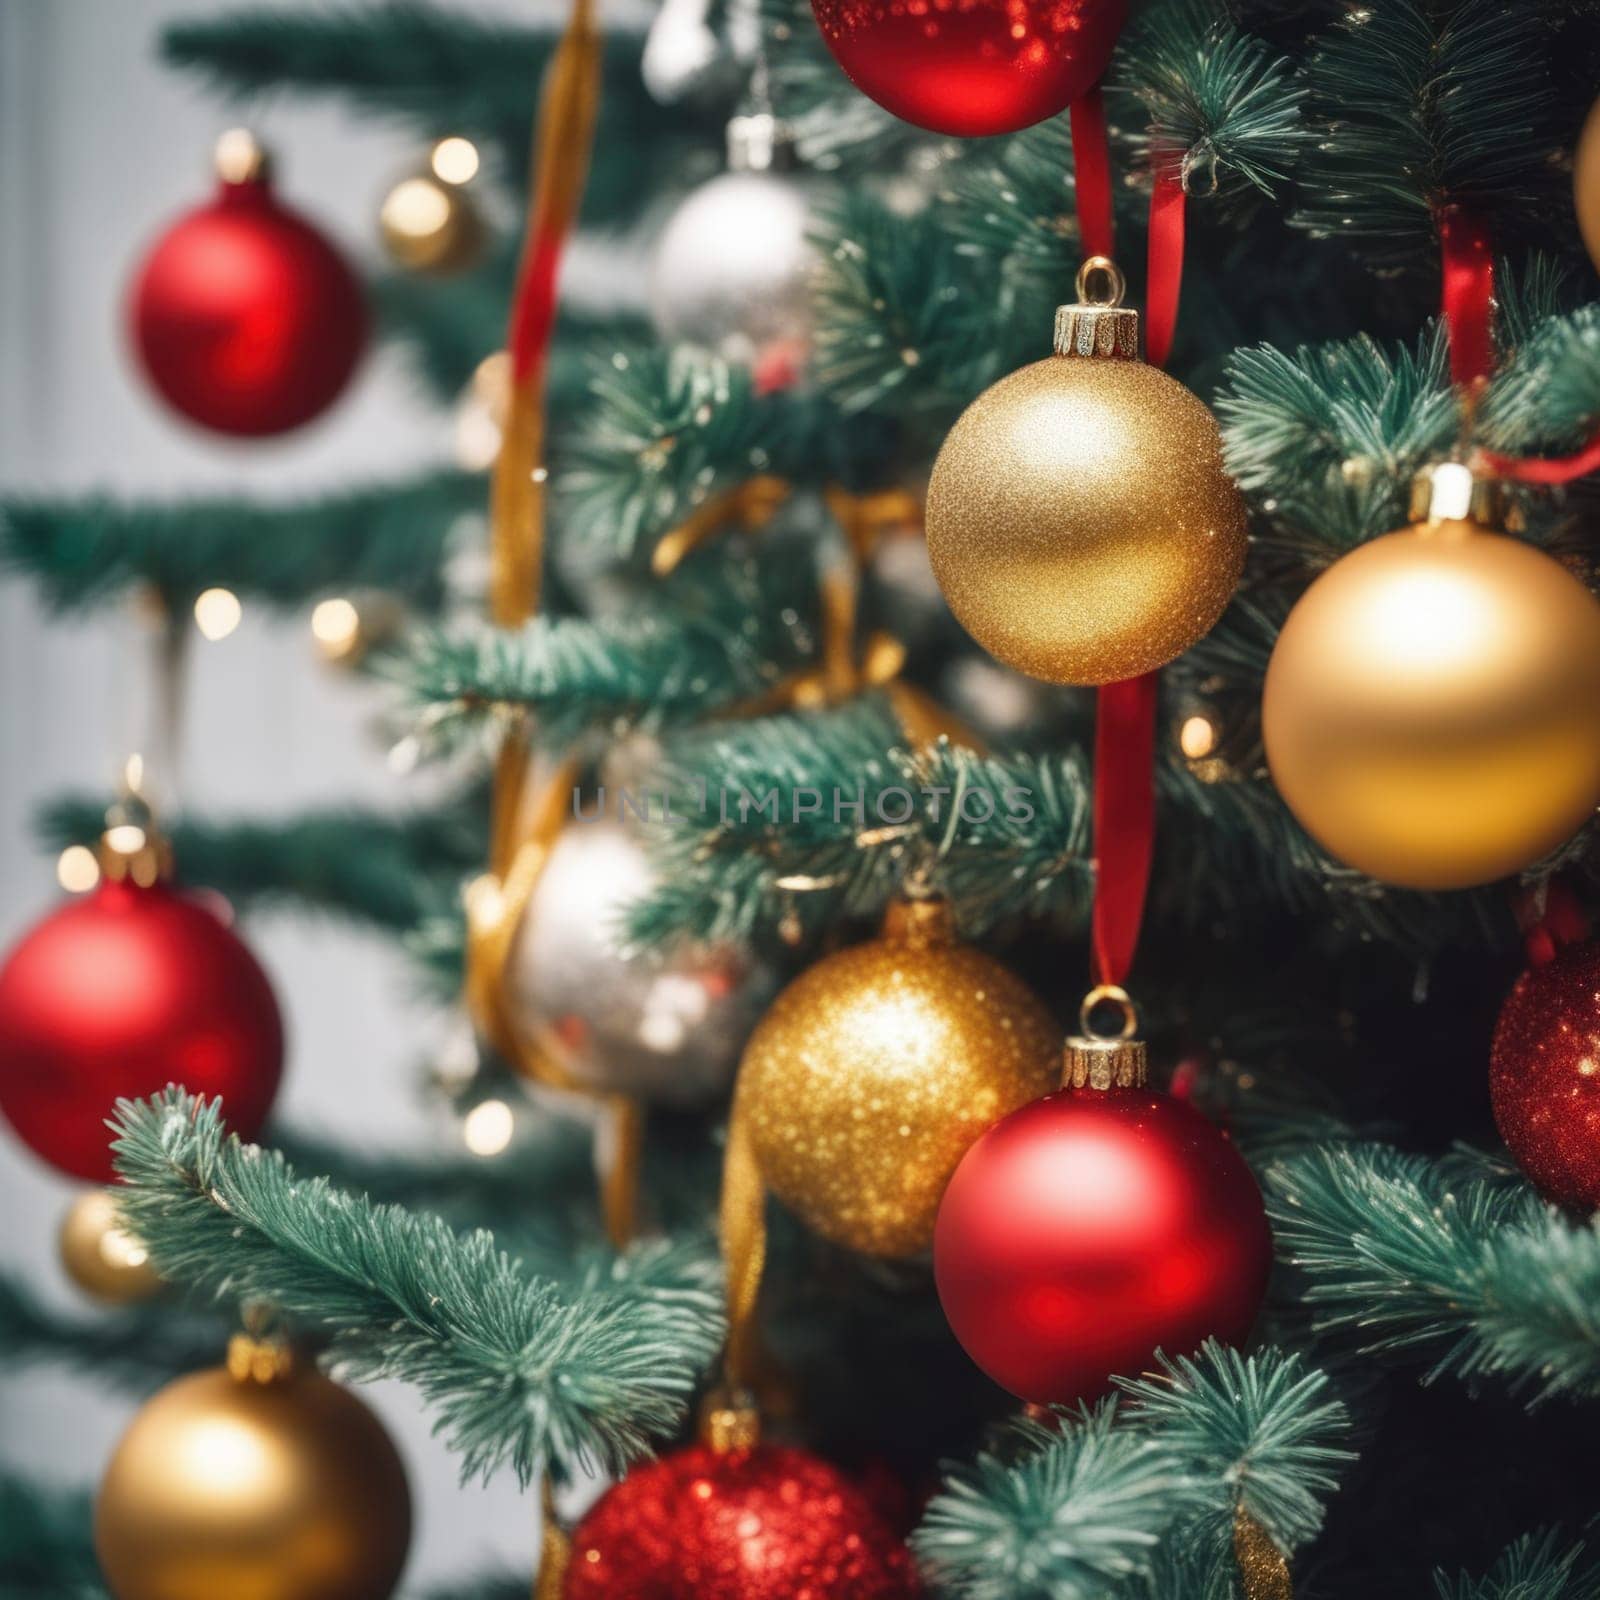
x,y
282,1490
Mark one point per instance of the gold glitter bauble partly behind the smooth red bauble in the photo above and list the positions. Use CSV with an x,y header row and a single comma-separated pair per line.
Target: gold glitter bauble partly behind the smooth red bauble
x,y
874,1071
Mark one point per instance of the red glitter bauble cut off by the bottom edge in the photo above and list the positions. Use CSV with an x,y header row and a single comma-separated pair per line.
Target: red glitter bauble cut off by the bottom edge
x,y
769,1524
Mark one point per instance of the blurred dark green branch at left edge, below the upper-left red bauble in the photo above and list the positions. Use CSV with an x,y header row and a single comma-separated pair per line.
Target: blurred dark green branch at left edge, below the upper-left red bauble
x,y
282,554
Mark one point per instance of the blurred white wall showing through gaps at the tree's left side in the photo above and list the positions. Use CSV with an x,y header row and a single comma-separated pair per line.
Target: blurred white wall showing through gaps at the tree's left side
x,y
98,146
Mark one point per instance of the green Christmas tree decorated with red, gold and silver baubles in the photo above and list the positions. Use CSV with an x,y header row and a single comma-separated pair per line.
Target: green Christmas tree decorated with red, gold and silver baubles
x,y
1018,874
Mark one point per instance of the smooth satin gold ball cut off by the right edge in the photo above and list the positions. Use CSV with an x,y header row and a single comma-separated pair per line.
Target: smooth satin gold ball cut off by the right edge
x,y
1433,706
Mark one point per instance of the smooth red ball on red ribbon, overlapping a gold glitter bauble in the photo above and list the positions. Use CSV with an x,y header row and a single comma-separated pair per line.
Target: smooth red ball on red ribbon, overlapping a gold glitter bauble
x,y
1092,1230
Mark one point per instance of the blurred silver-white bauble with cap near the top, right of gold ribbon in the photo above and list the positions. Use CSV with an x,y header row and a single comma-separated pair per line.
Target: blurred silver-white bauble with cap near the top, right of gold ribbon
x,y
734,263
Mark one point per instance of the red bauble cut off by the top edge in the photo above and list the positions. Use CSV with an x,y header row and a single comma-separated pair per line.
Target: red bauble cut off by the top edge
x,y
975,68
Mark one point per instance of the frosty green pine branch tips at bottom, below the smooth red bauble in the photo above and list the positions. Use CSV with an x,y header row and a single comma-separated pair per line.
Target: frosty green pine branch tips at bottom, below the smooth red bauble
x,y
1119,1497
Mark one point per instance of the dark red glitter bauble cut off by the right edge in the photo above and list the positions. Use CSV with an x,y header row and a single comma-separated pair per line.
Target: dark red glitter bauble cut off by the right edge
x,y
1545,1076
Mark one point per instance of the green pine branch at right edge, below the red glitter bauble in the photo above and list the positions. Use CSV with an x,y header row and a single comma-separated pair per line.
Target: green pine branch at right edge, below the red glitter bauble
x,y
1417,1258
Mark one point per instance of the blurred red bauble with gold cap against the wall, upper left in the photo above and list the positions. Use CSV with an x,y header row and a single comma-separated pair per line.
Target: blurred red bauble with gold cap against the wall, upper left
x,y
244,316
